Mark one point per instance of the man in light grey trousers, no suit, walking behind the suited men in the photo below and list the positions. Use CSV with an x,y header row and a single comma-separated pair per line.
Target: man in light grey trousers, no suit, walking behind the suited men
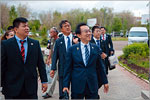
x,y
51,82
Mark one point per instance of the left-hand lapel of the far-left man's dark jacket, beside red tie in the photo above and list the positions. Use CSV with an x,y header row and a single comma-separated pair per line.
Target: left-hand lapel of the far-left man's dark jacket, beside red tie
x,y
16,47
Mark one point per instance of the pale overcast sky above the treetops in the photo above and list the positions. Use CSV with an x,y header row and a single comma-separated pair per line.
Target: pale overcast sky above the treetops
x,y
136,7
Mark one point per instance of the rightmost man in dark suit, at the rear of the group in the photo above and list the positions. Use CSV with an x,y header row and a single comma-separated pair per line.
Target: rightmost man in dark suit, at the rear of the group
x,y
106,46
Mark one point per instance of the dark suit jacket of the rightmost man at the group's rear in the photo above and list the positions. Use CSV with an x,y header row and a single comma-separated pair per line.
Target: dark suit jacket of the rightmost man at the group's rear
x,y
106,45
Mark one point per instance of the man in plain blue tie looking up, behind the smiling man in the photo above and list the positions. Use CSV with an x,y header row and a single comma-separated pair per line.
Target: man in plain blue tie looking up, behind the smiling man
x,y
61,46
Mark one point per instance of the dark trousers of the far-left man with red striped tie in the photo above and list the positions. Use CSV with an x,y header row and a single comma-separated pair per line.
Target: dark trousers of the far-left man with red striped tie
x,y
23,95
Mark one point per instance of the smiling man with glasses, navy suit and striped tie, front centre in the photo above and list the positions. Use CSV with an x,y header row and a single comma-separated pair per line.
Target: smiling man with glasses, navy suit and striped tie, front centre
x,y
82,61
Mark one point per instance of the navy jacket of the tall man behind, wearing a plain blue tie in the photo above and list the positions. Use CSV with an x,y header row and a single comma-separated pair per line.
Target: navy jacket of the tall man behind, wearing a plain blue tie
x,y
59,55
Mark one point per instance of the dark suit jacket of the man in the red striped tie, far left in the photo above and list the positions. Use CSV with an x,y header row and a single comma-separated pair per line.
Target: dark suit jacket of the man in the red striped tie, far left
x,y
15,72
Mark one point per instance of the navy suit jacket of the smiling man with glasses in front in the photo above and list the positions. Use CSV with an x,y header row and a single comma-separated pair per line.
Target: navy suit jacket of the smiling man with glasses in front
x,y
78,74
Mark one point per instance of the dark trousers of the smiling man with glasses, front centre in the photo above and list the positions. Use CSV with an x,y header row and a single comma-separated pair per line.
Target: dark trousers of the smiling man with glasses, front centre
x,y
86,94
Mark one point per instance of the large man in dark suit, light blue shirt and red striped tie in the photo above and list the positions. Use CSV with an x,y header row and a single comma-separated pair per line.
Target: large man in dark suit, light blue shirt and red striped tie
x,y
20,57
